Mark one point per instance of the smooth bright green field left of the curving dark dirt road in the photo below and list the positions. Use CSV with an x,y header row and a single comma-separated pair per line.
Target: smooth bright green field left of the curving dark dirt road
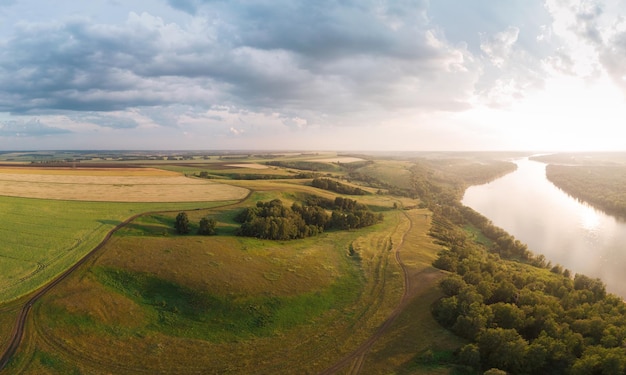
x,y
42,238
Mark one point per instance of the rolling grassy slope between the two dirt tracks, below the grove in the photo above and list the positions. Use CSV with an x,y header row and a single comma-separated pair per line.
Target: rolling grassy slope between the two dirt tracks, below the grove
x,y
177,304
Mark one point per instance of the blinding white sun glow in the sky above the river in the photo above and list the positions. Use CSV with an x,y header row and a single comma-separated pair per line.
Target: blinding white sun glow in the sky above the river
x,y
567,115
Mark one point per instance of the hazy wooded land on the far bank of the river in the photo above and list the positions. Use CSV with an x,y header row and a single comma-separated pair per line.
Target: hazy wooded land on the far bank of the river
x,y
601,186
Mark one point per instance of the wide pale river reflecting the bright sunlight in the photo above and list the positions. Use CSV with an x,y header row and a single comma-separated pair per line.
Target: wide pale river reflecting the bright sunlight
x,y
550,222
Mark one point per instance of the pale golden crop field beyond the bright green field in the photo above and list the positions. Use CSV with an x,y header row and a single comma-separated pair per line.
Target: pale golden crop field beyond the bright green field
x,y
104,185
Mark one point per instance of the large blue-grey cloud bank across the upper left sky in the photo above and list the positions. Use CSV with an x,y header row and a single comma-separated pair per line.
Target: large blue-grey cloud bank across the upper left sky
x,y
263,56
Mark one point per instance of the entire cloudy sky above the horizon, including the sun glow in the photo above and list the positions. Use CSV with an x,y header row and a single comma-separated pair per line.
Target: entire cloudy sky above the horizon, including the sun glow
x,y
345,75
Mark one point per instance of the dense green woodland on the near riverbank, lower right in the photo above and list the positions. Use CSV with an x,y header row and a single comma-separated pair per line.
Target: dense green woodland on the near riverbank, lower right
x,y
525,319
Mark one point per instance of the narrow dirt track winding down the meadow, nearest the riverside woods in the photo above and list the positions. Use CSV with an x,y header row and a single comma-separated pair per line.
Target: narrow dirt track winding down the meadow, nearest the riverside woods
x,y
357,357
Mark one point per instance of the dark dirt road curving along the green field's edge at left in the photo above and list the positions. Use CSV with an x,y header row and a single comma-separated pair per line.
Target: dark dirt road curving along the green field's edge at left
x,y
18,328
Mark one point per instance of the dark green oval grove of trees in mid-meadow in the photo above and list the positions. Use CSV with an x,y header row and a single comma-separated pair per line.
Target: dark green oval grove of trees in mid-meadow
x,y
275,221
